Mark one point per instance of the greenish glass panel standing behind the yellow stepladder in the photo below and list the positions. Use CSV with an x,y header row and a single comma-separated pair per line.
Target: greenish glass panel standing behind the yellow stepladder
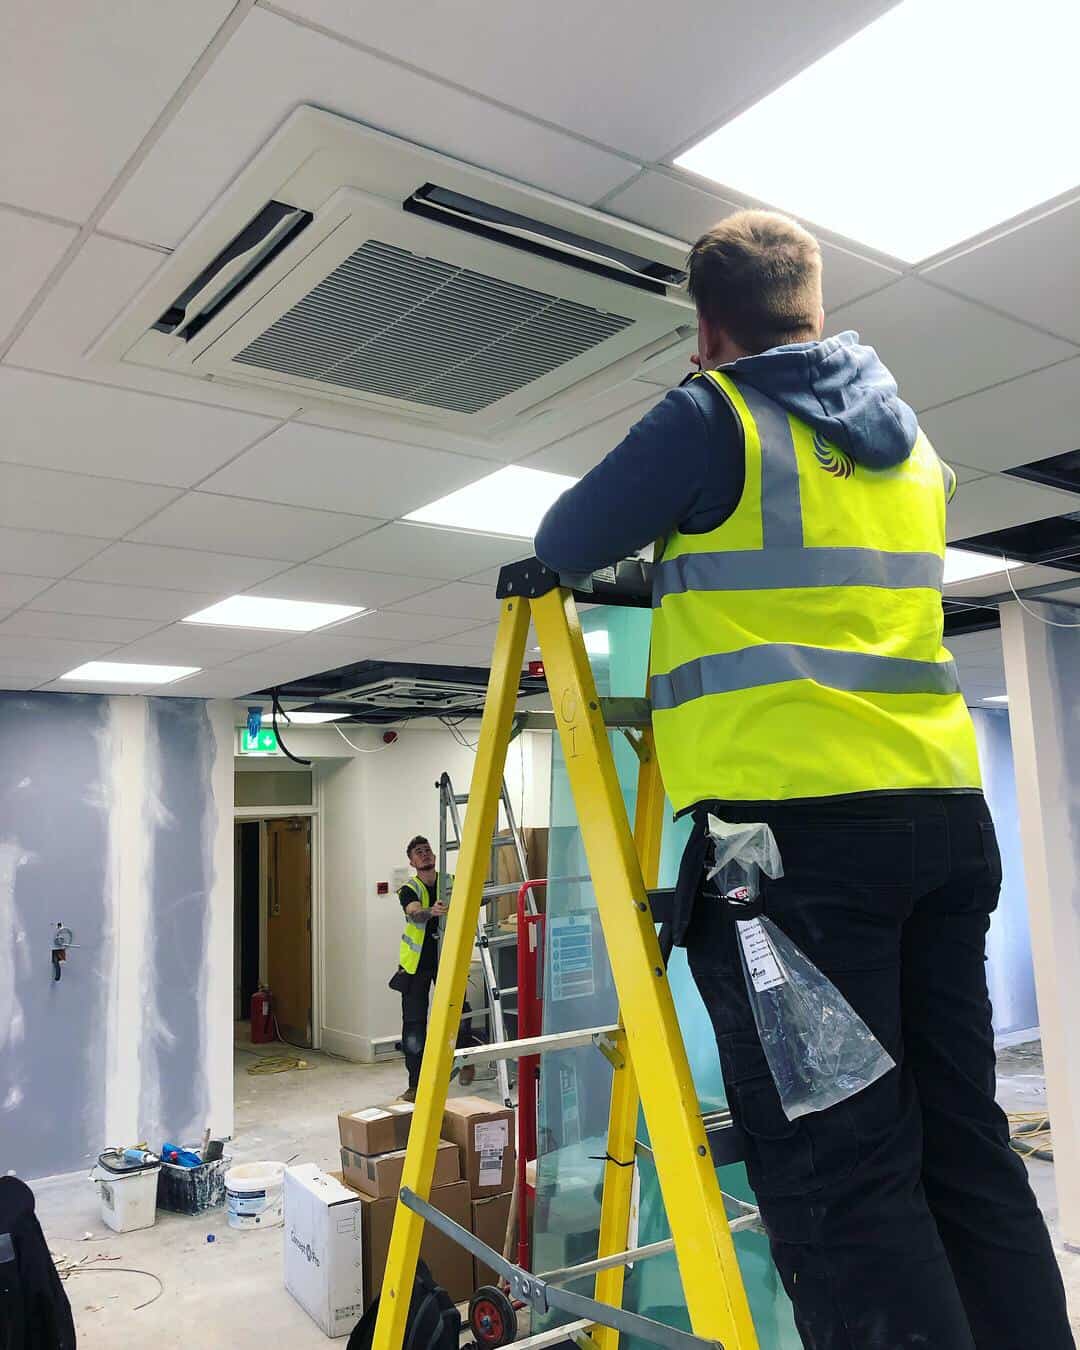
x,y
576,1085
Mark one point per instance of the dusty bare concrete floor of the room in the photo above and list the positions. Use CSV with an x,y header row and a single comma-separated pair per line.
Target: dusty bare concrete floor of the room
x,y
229,1295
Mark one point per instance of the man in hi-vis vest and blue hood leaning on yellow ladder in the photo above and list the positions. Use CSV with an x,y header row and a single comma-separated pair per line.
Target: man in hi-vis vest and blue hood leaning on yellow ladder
x,y
799,678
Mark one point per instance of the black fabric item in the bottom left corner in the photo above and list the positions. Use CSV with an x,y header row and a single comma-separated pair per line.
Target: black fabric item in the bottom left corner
x,y
34,1309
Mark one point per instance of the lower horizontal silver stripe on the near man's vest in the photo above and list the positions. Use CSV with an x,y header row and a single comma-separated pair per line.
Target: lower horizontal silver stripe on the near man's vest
x,y
774,664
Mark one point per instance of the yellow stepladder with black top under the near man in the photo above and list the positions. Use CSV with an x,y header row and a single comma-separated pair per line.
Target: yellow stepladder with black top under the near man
x,y
646,1039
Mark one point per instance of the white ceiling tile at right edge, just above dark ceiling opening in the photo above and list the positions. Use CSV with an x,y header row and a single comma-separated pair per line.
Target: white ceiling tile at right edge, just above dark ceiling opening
x,y
1017,423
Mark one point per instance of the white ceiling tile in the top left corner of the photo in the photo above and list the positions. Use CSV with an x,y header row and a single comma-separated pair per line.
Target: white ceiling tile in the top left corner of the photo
x,y
82,86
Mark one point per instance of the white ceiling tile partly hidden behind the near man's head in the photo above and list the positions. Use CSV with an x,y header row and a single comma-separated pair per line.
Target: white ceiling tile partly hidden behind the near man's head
x,y
686,211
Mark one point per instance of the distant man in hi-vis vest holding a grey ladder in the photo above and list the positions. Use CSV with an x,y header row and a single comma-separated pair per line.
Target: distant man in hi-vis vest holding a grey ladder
x,y
418,961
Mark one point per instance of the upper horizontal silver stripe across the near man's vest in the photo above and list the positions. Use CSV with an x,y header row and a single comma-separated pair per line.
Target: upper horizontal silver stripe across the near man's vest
x,y
790,569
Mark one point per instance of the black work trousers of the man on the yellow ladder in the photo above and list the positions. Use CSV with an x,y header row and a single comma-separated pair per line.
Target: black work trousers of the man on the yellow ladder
x,y
900,1217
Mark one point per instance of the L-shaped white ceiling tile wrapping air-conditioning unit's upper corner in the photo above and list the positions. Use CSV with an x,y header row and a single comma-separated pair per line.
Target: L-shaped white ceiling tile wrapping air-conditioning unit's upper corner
x,y
271,67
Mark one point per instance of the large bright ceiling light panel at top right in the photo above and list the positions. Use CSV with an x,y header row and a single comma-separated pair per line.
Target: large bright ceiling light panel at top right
x,y
947,118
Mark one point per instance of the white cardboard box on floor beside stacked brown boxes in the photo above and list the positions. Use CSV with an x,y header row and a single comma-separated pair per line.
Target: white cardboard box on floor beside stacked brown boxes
x,y
323,1248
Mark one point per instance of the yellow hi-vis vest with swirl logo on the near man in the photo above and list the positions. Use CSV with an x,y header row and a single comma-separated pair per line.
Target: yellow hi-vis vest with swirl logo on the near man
x,y
797,649
